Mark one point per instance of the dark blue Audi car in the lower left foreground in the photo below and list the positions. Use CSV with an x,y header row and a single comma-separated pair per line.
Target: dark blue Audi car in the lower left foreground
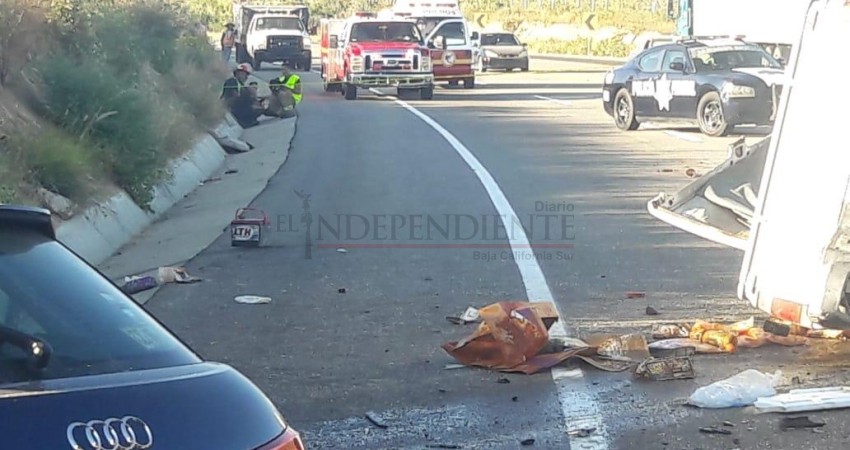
x,y
83,367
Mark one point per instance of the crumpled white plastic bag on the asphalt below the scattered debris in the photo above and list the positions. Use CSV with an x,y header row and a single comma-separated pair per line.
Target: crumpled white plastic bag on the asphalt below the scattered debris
x,y
739,390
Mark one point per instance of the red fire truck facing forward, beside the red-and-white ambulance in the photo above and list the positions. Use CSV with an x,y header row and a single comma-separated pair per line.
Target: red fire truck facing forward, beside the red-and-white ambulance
x,y
364,52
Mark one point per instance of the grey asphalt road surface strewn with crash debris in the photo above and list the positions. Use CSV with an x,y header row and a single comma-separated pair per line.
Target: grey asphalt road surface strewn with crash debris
x,y
360,331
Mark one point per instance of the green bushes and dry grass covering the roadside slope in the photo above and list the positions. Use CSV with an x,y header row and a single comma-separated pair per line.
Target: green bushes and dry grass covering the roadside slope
x,y
94,92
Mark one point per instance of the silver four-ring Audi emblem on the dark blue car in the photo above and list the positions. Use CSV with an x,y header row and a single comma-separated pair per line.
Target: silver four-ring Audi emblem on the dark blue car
x,y
126,433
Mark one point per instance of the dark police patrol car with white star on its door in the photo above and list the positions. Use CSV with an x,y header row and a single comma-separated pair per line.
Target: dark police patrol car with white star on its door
x,y
717,82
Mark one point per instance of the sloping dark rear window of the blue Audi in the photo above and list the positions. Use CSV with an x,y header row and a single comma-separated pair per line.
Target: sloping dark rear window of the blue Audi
x,y
48,293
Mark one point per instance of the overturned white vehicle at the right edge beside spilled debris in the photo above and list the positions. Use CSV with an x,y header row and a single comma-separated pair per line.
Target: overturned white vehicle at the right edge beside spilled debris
x,y
784,201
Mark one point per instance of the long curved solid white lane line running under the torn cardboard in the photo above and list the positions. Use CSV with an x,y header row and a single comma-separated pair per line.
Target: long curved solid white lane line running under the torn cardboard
x,y
578,405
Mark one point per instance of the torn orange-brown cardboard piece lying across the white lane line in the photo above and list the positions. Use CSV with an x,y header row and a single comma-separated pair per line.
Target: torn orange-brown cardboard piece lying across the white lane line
x,y
511,336
